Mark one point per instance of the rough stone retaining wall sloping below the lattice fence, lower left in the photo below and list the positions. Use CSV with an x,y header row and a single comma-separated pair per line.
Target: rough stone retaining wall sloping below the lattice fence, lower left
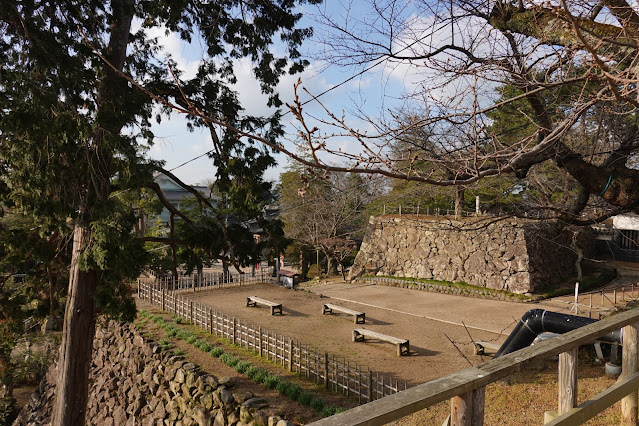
x,y
133,382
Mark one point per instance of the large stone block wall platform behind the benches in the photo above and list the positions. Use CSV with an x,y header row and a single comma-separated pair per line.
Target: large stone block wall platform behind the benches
x,y
515,255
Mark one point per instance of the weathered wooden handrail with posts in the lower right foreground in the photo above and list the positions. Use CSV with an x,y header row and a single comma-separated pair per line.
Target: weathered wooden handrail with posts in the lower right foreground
x,y
466,388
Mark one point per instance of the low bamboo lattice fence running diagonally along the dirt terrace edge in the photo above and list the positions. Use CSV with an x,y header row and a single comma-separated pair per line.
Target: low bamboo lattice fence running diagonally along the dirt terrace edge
x,y
334,372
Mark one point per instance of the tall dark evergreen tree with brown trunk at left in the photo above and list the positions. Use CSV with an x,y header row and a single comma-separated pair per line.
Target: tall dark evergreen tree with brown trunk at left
x,y
74,126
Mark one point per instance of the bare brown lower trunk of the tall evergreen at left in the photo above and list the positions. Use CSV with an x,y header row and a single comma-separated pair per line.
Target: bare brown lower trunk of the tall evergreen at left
x,y
77,340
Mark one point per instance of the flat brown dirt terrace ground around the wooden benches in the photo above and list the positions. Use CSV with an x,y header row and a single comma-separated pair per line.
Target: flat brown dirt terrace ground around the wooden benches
x,y
432,322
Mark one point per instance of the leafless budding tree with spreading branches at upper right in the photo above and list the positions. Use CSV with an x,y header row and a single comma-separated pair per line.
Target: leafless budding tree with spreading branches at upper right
x,y
505,88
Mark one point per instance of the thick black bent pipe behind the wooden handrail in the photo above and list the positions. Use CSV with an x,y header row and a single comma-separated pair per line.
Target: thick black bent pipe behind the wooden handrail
x,y
538,321
